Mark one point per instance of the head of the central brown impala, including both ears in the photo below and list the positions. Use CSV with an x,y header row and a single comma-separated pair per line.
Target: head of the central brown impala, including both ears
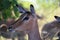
x,y
26,21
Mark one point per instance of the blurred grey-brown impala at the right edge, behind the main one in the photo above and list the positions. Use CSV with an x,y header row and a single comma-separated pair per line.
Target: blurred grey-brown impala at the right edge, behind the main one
x,y
51,29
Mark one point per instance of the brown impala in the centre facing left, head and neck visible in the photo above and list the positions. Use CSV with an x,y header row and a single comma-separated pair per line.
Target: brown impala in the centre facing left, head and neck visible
x,y
27,23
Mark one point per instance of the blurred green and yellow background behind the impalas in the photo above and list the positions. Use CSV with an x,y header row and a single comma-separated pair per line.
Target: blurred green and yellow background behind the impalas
x,y
46,8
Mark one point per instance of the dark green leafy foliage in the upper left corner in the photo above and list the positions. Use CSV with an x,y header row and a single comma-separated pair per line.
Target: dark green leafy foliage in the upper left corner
x,y
6,7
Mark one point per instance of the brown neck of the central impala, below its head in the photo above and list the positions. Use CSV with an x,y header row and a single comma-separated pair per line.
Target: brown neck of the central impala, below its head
x,y
34,33
